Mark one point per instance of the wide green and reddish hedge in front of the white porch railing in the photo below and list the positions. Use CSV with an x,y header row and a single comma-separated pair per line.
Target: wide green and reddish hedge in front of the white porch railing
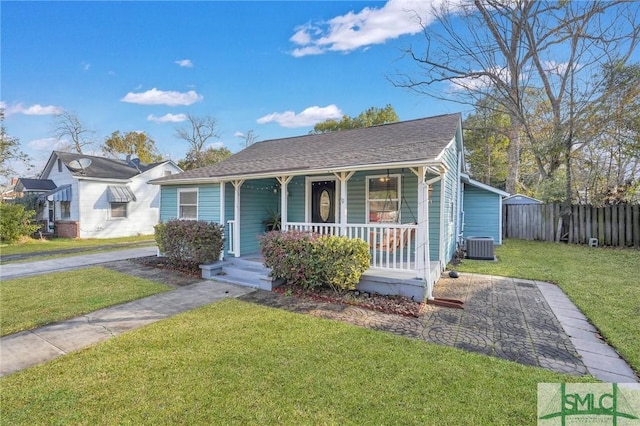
x,y
312,260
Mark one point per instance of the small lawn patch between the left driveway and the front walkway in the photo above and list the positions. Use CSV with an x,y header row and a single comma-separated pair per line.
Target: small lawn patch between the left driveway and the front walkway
x,y
34,301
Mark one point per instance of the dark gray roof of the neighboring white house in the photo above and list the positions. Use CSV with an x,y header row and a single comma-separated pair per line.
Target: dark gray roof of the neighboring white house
x,y
105,168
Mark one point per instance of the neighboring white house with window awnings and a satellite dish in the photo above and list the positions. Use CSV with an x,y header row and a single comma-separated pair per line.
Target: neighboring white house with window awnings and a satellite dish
x,y
97,197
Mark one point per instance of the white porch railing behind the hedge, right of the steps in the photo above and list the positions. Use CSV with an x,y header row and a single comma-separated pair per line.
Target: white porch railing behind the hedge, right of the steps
x,y
392,246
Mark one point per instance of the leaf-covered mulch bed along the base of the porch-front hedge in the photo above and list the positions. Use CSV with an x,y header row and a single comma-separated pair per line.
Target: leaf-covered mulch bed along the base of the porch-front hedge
x,y
396,305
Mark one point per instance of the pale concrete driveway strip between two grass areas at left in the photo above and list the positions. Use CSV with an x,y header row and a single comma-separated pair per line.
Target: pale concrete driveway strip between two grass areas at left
x,y
15,270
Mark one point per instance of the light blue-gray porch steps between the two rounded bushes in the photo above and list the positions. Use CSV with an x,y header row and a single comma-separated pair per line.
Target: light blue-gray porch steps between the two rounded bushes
x,y
248,273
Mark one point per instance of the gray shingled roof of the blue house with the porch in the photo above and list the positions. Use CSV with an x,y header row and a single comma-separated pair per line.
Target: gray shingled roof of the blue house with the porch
x,y
406,141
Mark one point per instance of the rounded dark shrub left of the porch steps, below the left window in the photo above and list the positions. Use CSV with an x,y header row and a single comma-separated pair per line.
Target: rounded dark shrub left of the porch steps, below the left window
x,y
189,243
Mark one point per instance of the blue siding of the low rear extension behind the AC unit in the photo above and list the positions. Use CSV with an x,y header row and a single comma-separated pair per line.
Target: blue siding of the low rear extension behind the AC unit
x,y
481,213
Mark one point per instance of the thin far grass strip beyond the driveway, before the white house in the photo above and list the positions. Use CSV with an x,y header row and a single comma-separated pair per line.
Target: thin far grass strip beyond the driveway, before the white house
x,y
34,245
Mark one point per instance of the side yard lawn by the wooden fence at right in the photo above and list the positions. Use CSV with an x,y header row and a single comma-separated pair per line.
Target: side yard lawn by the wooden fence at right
x,y
603,282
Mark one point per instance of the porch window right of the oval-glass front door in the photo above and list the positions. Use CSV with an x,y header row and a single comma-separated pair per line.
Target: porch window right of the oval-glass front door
x,y
383,199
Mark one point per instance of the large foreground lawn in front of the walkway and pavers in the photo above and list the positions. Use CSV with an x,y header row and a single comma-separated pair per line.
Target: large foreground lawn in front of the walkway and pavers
x,y
237,363
